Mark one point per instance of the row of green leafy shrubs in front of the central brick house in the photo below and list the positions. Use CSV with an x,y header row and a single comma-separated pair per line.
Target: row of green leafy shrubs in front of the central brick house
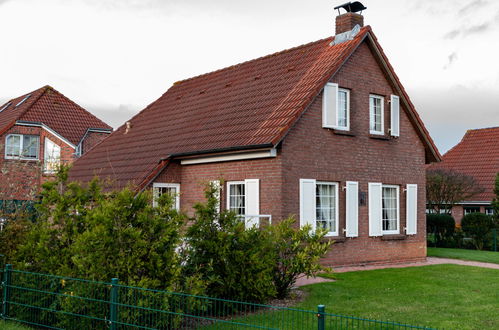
x,y
85,232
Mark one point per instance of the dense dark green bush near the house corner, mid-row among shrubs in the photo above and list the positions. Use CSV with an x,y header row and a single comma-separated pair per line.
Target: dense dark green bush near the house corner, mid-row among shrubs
x,y
237,263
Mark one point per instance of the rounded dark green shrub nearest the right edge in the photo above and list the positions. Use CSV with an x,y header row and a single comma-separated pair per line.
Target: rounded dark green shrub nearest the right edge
x,y
478,227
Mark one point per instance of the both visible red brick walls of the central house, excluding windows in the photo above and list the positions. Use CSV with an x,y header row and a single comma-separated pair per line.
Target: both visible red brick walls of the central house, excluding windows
x,y
312,152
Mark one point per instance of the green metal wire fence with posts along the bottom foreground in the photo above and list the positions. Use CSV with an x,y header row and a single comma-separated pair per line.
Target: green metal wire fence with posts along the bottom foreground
x,y
57,302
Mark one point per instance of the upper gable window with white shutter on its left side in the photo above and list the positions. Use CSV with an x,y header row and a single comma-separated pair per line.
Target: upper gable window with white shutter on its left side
x,y
336,107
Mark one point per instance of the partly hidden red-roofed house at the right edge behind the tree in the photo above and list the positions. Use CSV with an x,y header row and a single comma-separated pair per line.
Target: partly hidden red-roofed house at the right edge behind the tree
x,y
477,155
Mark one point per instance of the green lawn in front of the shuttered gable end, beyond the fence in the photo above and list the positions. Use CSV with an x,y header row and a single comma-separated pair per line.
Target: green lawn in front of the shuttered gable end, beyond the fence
x,y
441,296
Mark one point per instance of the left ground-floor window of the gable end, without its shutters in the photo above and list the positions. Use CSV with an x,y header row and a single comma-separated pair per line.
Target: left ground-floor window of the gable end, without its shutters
x,y
326,207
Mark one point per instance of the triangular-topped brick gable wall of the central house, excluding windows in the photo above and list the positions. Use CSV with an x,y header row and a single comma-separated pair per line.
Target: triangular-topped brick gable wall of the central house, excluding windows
x,y
312,152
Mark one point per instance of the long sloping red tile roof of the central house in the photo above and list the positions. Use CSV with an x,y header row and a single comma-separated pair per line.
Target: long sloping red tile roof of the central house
x,y
246,105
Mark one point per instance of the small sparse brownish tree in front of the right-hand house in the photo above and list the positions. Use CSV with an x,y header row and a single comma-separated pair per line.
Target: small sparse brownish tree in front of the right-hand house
x,y
446,188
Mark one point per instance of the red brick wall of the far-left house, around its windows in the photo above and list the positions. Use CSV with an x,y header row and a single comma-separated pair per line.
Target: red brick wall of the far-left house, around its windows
x,y
21,179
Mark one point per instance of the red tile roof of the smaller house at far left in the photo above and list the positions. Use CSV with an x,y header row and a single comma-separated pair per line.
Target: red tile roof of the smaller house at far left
x,y
48,106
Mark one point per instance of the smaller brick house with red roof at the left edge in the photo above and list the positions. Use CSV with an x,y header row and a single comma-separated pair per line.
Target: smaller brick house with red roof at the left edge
x,y
38,132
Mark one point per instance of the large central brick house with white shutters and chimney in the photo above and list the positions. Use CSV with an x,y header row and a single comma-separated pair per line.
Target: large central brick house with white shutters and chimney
x,y
324,131
